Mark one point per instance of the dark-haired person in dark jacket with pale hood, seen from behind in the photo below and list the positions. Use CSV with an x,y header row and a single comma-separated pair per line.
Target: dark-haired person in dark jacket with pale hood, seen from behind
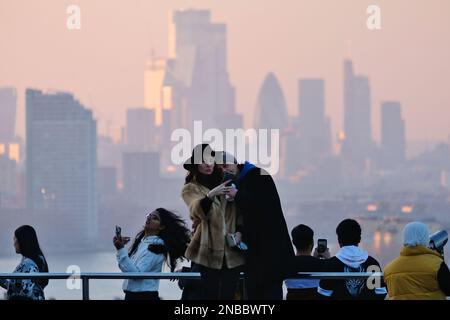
x,y
352,259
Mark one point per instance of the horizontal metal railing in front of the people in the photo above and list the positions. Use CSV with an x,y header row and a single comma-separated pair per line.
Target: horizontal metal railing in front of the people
x,y
85,277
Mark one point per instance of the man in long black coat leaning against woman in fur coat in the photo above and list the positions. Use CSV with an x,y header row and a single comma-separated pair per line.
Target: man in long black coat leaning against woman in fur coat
x,y
270,253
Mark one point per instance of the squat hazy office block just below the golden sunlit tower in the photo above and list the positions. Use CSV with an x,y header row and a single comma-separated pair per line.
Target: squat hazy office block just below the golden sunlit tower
x,y
141,129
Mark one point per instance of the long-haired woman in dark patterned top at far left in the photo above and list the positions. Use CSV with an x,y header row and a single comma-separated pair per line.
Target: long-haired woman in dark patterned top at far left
x,y
33,260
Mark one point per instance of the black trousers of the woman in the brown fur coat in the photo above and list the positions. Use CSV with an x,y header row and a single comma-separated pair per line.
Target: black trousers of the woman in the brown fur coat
x,y
219,284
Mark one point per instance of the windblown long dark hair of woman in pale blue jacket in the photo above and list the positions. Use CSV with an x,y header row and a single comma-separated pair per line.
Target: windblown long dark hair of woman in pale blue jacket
x,y
175,235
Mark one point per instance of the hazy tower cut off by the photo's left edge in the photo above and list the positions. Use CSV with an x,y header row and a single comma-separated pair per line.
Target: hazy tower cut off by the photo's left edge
x,y
8,102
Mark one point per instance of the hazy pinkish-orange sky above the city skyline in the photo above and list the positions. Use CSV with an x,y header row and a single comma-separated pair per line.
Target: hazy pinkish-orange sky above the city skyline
x,y
103,63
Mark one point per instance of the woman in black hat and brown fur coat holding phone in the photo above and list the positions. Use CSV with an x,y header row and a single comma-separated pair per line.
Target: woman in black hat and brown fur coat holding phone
x,y
214,247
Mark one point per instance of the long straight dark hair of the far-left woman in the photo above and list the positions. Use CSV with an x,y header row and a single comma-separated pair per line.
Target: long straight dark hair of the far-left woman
x,y
29,248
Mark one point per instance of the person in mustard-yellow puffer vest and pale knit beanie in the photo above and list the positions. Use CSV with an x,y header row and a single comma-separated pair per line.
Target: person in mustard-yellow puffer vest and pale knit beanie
x,y
419,273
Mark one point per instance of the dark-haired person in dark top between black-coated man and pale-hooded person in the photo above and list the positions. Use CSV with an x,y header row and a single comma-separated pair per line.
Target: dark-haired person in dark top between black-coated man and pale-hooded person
x,y
305,289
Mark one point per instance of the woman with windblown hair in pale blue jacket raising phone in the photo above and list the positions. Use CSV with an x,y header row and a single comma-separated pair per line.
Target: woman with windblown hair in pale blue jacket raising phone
x,y
165,237
